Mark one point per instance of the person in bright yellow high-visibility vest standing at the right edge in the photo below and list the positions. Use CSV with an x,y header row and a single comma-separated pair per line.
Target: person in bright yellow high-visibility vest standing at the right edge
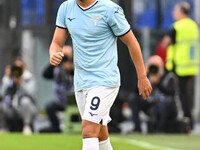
x,y
183,53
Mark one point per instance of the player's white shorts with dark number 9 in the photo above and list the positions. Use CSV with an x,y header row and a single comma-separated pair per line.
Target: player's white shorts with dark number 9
x,y
94,103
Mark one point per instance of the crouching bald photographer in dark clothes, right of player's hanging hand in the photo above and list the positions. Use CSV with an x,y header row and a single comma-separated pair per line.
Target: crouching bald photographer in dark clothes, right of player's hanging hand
x,y
160,106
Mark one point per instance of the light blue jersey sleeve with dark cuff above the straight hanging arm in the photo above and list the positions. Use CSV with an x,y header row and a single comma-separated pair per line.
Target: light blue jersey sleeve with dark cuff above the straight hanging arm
x,y
117,21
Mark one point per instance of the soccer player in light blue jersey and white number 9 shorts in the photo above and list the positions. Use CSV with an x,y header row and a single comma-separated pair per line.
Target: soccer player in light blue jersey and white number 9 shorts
x,y
94,26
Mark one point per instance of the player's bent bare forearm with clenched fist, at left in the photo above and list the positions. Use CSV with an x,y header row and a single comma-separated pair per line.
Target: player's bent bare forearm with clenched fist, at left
x,y
58,41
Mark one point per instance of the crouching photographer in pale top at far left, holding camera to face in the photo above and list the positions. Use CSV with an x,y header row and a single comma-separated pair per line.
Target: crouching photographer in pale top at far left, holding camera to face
x,y
18,92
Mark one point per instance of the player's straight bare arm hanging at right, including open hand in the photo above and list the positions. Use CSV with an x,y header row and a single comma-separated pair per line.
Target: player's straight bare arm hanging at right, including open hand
x,y
144,85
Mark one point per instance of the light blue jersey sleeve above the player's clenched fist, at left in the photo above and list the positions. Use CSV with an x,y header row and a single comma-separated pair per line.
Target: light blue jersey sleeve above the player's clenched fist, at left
x,y
60,20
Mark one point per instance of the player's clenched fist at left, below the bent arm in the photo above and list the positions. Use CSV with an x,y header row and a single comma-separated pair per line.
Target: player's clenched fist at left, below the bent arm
x,y
56,58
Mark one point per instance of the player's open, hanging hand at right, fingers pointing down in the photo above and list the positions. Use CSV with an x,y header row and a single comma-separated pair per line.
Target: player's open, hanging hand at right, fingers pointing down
x,y
144,87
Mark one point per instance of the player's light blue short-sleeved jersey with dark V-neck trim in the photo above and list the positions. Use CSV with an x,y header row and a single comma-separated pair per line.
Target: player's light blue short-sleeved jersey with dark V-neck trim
x,y
94,33
